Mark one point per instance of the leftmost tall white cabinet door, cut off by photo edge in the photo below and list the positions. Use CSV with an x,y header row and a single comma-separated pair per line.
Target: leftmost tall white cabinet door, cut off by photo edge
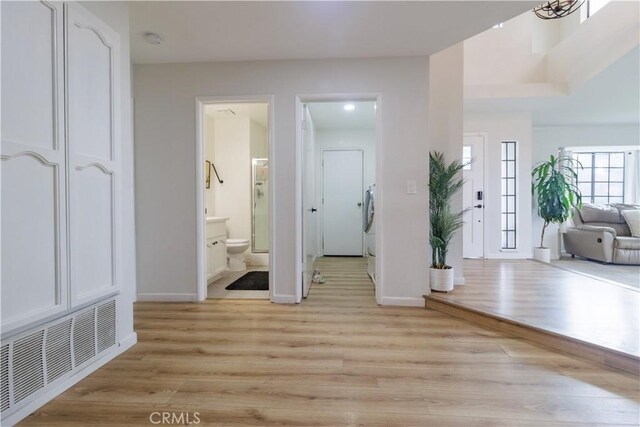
x,y
32,166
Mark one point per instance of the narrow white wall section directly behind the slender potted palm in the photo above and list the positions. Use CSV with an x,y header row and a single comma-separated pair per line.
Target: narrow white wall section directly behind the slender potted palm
x,y
445,127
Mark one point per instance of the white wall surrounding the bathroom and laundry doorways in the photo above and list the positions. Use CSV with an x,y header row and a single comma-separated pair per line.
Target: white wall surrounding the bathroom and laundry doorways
x,y
165,158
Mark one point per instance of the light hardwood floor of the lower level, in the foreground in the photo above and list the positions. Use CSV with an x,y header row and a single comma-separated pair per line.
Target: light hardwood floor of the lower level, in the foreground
x,y
337,359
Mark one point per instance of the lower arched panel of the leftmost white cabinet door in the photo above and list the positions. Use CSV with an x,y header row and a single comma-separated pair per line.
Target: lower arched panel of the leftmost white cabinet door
x,y
30,268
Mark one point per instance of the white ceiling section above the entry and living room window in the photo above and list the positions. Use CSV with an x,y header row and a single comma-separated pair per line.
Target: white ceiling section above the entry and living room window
x,y
609,98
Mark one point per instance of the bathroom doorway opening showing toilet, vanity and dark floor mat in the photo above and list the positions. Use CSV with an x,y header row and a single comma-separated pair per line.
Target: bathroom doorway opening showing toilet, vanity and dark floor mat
x,y
234,200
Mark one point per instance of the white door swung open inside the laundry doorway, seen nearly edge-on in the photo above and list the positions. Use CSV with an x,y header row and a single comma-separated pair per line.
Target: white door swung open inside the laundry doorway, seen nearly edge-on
x,y
309,211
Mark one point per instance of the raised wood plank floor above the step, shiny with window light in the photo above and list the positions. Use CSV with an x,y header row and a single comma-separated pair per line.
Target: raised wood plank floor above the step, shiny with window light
x,y
553,299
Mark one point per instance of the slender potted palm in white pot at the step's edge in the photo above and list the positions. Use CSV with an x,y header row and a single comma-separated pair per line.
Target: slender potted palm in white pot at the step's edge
x,y
444,181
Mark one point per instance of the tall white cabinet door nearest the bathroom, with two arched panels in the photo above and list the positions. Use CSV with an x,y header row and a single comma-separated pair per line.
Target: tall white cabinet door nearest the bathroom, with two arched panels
x,y
94,154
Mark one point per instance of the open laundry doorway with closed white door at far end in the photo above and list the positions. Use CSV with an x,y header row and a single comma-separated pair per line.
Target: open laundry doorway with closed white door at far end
x,y
337,154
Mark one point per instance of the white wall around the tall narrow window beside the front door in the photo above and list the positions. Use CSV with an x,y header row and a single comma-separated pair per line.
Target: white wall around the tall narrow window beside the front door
x,y
499,128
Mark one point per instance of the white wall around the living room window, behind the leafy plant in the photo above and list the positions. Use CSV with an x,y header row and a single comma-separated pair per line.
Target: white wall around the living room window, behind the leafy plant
x,y
547,141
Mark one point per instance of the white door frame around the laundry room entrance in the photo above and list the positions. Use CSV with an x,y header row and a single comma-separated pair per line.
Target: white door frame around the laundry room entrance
x,y
300,100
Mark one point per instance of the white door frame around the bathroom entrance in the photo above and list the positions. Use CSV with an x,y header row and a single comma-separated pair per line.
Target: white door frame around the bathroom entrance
x,y
201,265
